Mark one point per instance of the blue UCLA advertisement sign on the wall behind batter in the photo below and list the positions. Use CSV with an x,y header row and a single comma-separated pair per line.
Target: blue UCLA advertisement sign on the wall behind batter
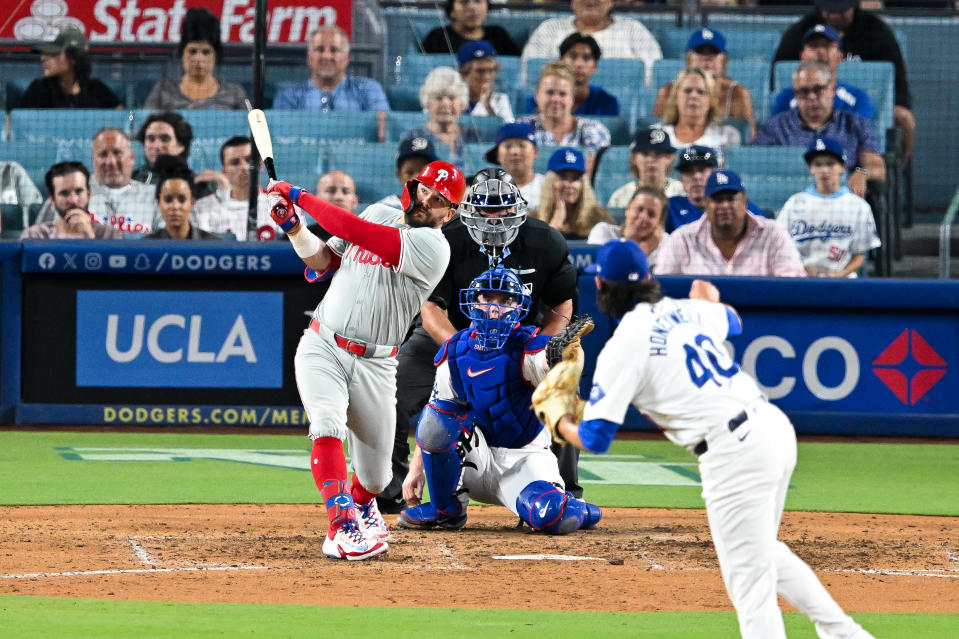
x,y
174,339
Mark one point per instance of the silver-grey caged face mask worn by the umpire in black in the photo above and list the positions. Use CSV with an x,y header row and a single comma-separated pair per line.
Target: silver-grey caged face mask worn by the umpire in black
x,y
493,209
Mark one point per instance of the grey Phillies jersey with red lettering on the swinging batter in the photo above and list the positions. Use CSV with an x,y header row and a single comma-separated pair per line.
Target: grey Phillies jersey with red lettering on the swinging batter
x,y
374,301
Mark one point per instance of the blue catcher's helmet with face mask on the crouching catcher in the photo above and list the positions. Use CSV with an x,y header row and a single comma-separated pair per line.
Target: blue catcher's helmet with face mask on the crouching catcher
x,y
494,321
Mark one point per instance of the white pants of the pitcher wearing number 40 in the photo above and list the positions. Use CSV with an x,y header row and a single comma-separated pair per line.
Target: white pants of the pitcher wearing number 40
x,y
745,477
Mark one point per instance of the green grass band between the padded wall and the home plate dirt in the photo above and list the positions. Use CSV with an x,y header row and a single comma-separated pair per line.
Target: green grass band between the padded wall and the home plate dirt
x,y
841,477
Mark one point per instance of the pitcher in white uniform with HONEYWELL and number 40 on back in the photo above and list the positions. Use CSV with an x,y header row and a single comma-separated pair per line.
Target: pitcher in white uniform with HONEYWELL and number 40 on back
x,y
667,359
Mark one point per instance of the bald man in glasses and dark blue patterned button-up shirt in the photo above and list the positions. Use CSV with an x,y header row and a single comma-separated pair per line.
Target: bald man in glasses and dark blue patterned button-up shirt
x,y
815,88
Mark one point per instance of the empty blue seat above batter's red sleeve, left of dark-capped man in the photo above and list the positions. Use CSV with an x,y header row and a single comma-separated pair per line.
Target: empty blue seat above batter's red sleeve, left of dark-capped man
x,y
372,167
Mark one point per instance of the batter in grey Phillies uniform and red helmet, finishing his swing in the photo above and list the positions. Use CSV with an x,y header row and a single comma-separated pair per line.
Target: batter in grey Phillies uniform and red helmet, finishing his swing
x,y
385,263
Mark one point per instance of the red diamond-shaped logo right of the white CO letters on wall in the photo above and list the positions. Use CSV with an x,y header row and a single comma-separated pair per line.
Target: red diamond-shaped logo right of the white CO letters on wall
x,y
932,367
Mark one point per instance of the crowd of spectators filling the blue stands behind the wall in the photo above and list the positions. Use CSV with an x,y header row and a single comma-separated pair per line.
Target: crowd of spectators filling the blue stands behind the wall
x,y
541,109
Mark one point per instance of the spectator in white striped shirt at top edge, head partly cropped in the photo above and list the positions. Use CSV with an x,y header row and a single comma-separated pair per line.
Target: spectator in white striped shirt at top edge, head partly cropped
x,y
618,37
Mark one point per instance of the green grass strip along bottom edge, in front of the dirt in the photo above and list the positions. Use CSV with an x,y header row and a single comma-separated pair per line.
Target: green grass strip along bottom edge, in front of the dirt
x,y
42,617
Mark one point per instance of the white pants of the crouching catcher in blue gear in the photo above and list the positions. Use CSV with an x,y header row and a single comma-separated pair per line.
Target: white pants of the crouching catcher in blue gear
x,y
498,475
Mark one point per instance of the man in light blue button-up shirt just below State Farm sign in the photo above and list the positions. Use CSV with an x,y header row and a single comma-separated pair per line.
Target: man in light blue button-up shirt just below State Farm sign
x,y
330,87
